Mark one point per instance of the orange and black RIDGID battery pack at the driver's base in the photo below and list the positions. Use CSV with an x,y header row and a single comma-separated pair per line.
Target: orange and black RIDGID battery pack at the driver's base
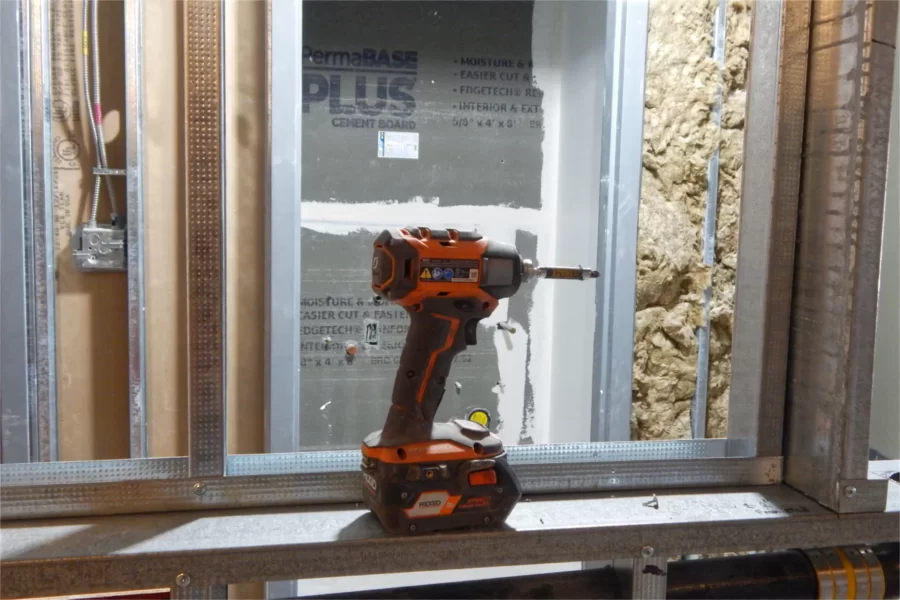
x,y
458,479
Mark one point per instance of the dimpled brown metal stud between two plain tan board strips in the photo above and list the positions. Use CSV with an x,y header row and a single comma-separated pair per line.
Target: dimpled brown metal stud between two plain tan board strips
x,y
206,237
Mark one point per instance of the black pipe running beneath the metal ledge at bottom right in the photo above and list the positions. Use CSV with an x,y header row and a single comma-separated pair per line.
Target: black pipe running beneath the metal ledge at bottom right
x,y
784,574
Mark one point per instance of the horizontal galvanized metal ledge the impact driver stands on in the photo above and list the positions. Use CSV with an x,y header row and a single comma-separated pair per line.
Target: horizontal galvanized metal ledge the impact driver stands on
x,y
97,554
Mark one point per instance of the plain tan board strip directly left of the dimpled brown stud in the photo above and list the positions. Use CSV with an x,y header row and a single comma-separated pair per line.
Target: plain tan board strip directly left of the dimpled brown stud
x,y
164,226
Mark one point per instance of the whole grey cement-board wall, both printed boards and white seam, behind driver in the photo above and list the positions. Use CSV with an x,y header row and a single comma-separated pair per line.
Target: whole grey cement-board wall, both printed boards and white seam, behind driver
x,y
433,105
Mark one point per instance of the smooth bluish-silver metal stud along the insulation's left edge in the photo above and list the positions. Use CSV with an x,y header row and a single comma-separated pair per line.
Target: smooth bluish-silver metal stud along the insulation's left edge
x,y
622,127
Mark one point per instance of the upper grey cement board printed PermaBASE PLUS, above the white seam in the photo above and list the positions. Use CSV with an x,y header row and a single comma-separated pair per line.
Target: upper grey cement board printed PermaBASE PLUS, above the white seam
x,y
452,78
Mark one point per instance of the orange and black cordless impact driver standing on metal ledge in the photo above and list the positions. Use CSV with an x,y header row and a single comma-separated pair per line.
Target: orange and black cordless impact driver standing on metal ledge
x,y
420,476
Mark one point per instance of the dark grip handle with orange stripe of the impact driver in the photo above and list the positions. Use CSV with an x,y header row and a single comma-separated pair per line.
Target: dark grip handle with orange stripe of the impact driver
x,y
441,329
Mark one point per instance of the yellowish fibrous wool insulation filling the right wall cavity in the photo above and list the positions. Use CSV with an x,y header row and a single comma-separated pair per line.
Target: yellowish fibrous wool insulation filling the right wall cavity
x,y
679,138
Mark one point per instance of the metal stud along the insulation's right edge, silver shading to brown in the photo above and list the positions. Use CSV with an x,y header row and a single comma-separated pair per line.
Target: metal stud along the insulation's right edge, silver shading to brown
x,y
776,99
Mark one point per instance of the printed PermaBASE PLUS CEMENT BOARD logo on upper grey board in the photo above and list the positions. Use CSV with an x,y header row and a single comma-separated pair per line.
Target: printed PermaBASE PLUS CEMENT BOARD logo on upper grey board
x,y
366,88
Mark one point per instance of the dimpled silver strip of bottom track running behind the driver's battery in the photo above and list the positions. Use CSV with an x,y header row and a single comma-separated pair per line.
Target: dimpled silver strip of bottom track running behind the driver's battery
x,y
101,471
